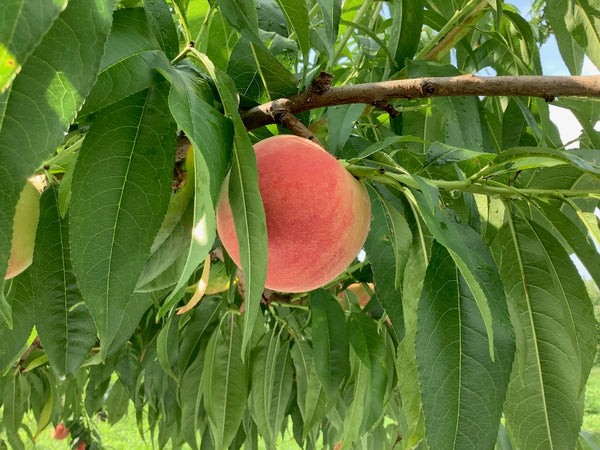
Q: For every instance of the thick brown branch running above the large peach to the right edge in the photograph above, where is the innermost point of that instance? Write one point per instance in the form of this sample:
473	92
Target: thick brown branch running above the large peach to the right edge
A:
320	94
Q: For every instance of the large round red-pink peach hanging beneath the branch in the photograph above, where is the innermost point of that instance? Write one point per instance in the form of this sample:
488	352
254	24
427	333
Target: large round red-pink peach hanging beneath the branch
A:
317	214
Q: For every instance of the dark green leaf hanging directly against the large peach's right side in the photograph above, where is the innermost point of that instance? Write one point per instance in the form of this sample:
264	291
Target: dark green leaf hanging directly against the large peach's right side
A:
387	249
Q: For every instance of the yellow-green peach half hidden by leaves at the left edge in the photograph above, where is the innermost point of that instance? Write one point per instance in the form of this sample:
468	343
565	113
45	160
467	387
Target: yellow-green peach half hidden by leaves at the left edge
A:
24	228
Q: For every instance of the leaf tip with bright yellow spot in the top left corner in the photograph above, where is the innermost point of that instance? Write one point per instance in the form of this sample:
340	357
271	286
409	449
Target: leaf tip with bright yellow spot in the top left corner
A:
24	23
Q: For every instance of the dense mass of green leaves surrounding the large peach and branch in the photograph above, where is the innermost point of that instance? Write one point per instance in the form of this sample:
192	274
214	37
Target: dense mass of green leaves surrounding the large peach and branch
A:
478	213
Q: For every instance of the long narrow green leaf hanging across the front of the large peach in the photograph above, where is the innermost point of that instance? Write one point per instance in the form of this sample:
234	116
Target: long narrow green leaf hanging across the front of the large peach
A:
246	203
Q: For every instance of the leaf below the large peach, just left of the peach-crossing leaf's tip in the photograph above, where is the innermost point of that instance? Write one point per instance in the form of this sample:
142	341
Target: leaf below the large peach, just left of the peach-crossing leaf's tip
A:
225	382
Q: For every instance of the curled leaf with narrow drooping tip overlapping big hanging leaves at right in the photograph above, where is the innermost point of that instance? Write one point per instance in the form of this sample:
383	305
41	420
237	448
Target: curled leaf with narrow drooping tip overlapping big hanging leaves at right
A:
470	254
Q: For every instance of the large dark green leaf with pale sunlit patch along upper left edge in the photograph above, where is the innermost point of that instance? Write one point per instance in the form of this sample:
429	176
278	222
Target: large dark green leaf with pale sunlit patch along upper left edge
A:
43	101
